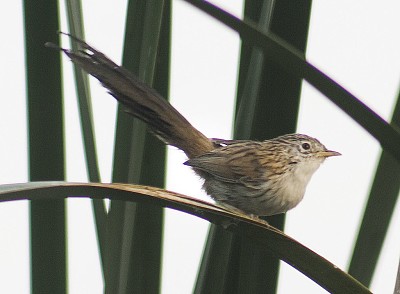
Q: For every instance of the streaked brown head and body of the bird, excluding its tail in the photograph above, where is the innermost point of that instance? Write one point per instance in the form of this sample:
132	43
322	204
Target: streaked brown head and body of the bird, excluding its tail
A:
261	178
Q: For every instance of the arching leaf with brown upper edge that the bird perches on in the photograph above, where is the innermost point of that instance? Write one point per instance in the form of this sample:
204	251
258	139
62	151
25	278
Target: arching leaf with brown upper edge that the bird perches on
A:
324	273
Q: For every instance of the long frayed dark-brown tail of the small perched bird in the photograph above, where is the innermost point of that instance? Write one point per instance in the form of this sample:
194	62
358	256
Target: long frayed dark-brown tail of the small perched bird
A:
140	100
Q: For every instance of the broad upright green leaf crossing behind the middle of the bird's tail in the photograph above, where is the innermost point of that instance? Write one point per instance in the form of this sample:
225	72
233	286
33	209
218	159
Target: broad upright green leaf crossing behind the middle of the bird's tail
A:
139	158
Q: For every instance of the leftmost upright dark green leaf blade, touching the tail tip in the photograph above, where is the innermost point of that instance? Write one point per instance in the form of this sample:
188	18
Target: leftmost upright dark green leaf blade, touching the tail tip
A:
46	146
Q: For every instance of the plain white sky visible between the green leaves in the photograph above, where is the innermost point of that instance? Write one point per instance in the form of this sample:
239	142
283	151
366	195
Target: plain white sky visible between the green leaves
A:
357	46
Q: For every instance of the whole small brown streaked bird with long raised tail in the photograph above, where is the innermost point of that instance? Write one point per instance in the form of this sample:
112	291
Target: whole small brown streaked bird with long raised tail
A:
257	178
